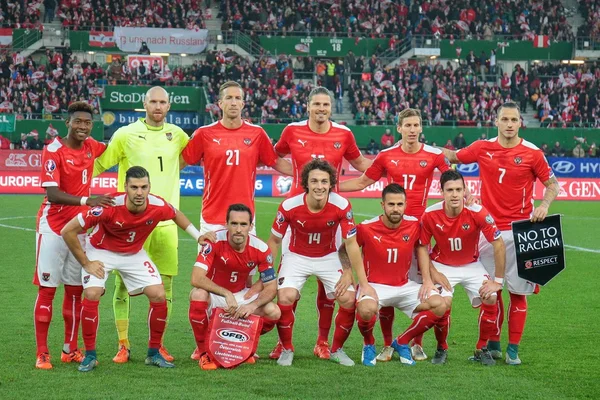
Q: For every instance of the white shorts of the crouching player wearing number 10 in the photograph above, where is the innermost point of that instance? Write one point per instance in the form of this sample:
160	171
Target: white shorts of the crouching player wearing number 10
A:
469	276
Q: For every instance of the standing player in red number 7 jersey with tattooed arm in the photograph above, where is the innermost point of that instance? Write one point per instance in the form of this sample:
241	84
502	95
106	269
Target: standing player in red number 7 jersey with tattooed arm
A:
509	167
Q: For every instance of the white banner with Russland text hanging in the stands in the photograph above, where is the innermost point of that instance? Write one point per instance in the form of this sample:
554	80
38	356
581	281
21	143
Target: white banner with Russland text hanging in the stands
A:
161	40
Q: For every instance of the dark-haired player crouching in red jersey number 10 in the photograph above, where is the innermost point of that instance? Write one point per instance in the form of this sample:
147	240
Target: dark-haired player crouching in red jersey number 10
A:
456	229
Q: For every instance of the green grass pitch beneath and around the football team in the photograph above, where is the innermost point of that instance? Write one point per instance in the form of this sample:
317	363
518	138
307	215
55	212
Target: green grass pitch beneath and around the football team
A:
559	349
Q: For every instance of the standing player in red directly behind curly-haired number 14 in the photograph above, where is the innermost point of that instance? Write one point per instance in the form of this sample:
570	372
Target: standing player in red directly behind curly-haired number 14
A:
318	137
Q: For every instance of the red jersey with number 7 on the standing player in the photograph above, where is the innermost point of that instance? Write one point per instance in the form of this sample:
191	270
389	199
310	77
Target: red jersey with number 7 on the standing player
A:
507	177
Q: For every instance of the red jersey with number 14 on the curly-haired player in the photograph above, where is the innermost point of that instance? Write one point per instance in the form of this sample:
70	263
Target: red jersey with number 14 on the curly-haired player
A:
313	234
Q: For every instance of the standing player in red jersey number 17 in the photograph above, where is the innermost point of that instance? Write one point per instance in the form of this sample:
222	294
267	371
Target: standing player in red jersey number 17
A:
411	164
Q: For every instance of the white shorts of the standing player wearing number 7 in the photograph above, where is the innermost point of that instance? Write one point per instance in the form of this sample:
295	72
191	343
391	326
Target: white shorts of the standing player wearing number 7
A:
513	283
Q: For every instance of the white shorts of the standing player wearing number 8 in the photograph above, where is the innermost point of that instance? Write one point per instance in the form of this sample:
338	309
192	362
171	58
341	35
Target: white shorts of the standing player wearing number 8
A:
55	264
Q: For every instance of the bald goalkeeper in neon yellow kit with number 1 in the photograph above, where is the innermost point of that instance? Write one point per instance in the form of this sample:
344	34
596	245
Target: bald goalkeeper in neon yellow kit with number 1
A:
155	145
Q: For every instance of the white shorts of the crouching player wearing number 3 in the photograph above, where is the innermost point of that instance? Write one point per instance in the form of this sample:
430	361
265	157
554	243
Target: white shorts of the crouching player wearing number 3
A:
137	270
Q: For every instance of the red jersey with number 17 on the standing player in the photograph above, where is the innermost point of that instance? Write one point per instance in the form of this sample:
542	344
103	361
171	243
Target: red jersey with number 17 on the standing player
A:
413	171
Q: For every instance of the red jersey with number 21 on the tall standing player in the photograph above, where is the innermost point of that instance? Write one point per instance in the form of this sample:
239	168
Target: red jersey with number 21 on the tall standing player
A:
230	157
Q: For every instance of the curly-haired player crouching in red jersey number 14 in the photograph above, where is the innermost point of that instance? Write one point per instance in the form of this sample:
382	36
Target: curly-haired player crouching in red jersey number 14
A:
313	218
